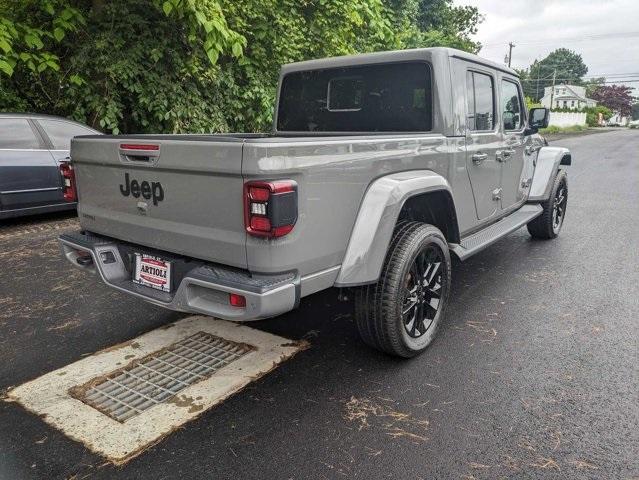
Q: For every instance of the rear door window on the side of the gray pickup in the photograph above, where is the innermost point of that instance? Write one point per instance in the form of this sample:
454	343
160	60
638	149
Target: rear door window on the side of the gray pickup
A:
481	101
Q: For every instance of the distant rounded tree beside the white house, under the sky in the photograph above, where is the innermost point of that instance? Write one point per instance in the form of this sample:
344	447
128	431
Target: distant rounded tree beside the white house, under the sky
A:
567	66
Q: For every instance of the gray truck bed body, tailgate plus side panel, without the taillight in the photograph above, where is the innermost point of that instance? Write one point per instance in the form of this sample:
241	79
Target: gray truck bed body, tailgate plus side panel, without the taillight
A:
201	214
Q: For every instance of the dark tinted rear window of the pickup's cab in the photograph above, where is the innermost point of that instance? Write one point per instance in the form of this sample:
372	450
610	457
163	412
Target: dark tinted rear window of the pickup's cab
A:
372	98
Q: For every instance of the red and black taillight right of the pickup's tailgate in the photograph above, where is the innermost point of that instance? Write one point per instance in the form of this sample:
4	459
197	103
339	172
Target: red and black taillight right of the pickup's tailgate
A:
270	208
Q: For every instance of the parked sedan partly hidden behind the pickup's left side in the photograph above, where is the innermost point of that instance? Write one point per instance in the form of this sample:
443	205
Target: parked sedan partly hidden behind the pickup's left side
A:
31	148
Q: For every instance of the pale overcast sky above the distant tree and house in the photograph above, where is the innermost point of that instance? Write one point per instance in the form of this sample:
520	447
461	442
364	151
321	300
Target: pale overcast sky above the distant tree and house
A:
604	32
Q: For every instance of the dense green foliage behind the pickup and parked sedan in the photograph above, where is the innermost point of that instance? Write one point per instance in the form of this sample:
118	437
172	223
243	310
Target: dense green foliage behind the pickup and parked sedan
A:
194	65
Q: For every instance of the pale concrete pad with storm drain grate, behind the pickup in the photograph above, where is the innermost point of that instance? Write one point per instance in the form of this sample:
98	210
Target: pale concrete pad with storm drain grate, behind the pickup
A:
123	399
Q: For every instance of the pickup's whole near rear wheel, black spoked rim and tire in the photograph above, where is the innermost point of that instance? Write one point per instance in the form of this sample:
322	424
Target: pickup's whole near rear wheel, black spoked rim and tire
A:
401	313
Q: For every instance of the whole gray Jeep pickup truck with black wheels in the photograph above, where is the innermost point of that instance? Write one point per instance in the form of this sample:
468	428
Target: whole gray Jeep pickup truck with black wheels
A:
379	167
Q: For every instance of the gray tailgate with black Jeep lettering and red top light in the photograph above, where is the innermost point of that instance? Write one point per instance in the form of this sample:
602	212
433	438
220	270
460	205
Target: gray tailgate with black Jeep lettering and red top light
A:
182	195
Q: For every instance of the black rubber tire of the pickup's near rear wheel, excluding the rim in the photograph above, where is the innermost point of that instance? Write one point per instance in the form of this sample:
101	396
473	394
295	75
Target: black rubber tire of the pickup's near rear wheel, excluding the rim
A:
379	306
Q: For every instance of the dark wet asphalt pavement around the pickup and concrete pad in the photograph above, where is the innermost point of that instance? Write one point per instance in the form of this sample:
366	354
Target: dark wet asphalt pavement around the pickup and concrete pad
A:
535	373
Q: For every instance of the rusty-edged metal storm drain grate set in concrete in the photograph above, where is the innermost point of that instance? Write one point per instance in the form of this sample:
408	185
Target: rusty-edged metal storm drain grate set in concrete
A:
161	375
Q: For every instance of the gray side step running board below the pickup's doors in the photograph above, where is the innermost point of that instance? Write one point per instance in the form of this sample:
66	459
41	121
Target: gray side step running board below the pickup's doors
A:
489	235
